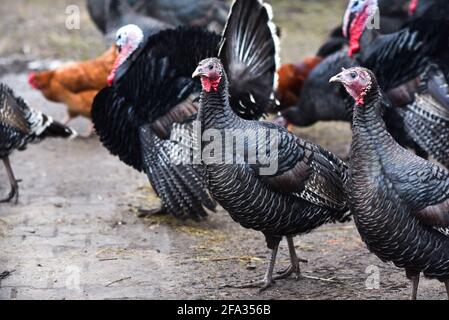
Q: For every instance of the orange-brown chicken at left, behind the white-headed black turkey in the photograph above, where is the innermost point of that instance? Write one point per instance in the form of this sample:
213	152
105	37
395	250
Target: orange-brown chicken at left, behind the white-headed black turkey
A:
76	84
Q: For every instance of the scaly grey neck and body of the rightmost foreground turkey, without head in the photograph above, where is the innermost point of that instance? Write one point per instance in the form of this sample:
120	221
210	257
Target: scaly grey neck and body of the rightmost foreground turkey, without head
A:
380	173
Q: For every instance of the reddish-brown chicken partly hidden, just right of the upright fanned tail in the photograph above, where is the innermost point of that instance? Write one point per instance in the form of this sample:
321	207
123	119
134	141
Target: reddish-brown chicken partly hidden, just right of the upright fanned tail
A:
291	80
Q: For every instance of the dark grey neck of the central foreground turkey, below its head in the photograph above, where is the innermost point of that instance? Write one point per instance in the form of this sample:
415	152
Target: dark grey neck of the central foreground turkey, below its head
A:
215	111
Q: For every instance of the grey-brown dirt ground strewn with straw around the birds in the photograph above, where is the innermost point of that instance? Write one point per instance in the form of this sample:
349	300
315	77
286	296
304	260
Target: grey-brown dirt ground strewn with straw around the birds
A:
75	233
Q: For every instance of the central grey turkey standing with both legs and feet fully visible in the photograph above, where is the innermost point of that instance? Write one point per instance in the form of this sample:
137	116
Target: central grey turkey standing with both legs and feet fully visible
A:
298	186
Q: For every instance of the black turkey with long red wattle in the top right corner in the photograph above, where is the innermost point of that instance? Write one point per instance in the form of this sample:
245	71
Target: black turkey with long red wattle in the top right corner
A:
411	67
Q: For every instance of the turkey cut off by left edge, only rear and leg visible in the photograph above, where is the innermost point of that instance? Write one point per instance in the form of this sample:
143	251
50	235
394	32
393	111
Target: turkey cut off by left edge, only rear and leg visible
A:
19	126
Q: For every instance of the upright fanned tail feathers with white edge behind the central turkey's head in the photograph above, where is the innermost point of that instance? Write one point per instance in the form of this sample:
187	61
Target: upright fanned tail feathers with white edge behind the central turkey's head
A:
249	53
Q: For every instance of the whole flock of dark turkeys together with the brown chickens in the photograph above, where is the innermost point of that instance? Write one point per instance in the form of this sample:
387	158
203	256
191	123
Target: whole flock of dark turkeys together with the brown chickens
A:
180	79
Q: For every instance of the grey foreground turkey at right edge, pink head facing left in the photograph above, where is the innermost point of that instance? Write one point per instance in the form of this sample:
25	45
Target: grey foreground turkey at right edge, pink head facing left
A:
400	202
